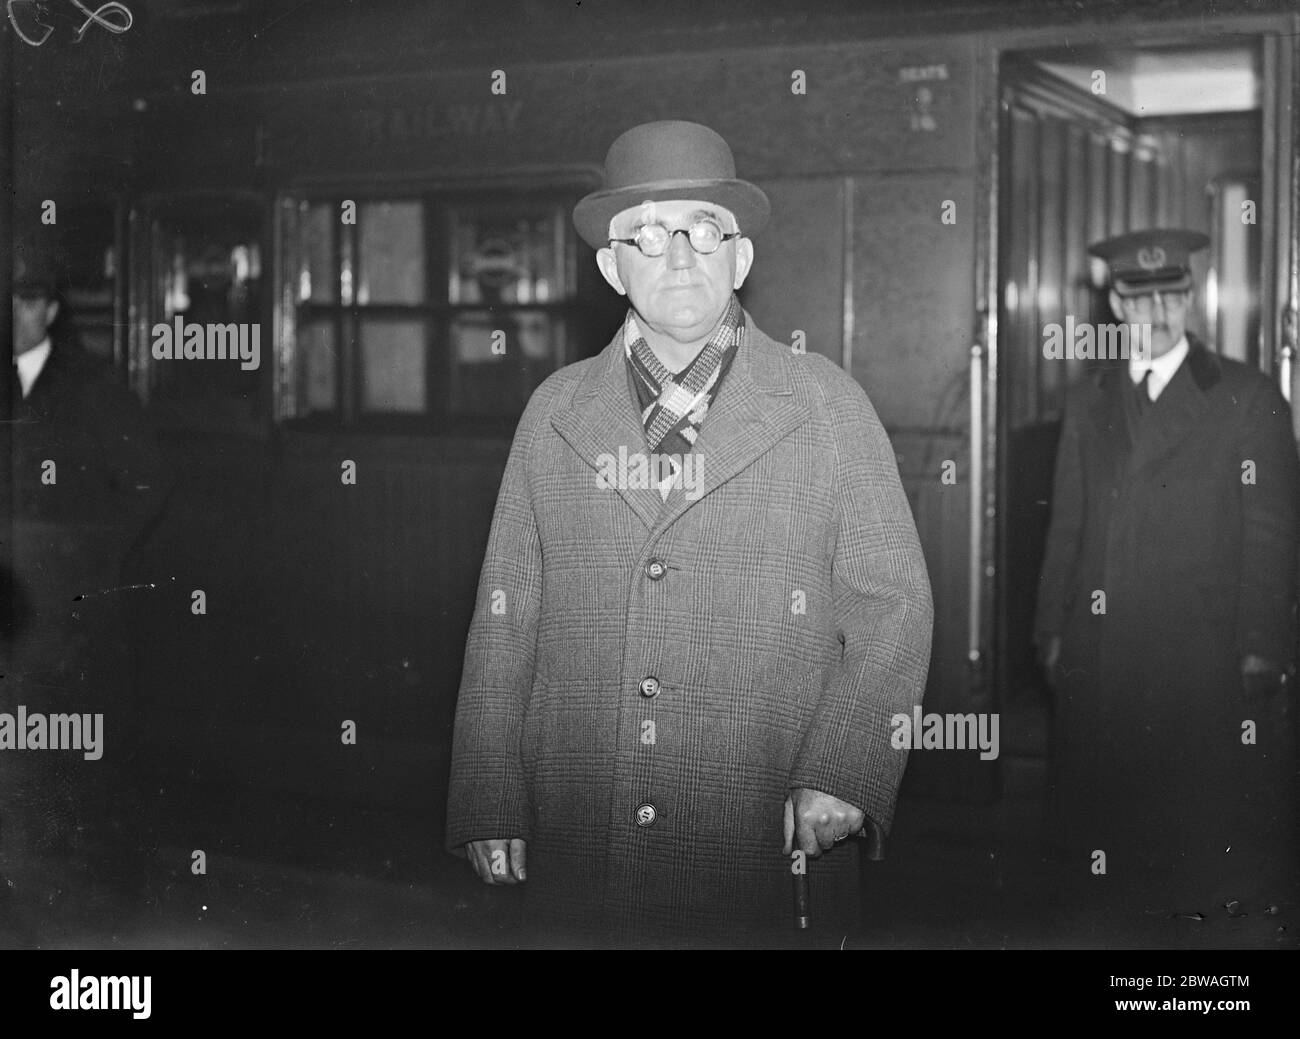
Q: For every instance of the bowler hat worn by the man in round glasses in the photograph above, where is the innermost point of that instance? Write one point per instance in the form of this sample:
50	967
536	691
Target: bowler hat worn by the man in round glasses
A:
657	162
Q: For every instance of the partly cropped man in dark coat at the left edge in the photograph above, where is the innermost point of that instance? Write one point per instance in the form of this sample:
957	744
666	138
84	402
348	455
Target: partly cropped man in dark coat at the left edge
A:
88	480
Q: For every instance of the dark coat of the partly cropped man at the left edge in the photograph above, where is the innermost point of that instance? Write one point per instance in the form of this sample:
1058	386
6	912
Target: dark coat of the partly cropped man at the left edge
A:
89	479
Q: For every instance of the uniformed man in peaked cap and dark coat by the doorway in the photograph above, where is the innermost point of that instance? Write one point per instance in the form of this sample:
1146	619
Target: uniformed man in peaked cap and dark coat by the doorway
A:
1167	613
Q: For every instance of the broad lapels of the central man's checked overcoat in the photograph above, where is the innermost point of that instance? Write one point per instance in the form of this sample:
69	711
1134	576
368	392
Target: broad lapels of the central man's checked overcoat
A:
756	410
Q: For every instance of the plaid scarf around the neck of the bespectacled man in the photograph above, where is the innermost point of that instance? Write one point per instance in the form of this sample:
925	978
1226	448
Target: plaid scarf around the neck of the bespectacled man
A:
674	406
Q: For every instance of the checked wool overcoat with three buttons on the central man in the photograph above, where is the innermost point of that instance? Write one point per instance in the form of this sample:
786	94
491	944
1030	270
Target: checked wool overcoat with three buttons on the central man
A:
790	622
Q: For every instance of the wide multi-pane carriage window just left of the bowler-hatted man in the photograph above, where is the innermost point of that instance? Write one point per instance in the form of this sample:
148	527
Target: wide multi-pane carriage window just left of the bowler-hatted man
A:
423	313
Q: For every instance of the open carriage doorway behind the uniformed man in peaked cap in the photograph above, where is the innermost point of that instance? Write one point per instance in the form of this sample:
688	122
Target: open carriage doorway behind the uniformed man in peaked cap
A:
1097	142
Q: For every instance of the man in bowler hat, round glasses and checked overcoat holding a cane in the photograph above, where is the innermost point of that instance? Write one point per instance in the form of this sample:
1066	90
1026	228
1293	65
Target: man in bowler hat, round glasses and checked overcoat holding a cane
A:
703	600
